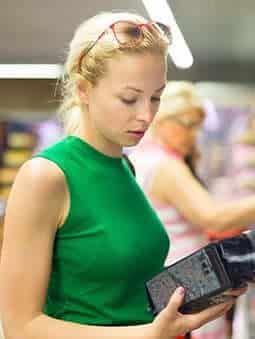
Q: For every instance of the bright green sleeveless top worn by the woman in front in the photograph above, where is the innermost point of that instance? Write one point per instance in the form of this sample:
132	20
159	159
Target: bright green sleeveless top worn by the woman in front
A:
111	243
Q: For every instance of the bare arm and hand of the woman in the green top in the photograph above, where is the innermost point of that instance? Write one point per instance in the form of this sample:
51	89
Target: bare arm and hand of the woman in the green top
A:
37	205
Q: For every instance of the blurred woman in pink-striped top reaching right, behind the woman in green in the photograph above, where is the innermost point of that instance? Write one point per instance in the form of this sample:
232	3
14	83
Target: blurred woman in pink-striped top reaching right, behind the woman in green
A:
164	162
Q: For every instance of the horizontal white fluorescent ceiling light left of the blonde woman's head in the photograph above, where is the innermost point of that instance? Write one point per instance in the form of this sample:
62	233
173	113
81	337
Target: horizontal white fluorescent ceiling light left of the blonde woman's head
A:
30	71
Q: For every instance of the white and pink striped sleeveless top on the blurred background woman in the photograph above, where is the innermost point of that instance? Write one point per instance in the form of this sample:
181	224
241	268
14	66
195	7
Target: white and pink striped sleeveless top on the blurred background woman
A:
185	237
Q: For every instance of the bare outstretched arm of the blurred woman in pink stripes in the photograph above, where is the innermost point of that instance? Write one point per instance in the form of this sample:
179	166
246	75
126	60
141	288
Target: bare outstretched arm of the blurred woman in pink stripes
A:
175	184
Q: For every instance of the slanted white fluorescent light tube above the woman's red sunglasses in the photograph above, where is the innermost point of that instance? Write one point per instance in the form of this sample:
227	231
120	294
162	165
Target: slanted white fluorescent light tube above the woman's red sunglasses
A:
159	10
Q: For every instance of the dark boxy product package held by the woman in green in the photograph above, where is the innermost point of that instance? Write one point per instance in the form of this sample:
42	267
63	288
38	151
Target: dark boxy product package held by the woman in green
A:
206	274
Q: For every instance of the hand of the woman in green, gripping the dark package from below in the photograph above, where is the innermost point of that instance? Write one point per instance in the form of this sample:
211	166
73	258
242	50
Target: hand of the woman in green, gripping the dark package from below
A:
170	322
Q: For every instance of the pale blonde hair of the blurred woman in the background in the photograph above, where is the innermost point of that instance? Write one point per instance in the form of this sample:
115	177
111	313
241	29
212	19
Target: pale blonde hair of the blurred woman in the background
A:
179	97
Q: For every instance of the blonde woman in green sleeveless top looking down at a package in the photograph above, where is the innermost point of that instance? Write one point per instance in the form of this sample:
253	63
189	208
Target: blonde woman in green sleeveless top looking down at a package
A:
75	258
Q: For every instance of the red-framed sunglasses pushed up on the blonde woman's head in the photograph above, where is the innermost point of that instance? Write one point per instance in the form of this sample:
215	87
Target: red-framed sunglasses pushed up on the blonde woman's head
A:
129	34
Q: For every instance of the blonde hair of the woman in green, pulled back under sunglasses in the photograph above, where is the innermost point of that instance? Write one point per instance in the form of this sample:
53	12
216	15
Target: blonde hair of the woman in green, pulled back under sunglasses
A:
93	67
